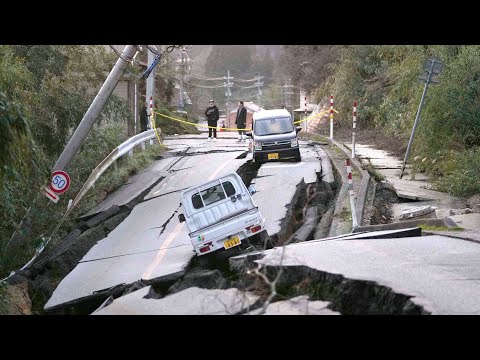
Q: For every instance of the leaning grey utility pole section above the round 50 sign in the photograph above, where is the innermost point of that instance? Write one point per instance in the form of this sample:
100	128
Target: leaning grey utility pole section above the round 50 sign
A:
95	108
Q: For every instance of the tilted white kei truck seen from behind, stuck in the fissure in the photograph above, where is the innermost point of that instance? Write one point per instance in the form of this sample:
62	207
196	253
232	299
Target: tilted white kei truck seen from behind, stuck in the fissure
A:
221	216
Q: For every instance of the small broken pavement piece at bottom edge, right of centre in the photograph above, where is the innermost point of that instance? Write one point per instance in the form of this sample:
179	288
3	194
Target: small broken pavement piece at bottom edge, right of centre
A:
300	305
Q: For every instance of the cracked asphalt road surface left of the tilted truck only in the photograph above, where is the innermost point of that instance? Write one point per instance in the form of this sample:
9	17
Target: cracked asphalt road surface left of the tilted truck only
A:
150	242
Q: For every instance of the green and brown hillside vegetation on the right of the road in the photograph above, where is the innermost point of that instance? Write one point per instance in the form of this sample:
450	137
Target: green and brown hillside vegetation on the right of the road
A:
383	79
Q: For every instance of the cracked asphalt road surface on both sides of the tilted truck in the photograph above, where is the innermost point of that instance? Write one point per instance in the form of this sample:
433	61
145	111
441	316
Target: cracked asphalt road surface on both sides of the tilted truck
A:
150	243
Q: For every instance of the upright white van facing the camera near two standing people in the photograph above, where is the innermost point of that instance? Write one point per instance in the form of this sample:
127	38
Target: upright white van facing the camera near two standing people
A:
274	136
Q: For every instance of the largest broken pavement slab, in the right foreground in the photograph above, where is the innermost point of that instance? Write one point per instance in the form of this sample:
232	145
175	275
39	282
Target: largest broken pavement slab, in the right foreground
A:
440	274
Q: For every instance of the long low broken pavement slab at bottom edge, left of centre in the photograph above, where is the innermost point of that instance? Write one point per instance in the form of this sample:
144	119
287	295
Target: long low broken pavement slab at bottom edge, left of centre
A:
191	301
